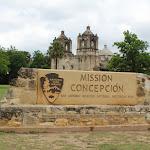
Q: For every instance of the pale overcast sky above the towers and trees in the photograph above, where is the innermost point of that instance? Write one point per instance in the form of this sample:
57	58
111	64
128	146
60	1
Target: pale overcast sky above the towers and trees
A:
31	25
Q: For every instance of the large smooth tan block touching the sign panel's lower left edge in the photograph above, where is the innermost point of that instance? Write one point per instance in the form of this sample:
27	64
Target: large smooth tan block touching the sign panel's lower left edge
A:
27	97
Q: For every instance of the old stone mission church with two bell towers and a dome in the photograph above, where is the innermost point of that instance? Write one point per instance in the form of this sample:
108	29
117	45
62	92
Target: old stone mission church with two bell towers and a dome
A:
87	57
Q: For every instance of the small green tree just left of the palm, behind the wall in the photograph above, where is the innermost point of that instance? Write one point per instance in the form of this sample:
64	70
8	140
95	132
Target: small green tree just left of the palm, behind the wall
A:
39	60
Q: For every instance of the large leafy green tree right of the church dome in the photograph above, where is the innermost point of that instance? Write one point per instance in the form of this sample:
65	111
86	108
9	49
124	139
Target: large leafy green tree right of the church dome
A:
132	57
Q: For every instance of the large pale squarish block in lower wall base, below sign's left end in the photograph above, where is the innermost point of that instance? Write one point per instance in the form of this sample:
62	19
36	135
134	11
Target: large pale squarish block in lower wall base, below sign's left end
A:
30	120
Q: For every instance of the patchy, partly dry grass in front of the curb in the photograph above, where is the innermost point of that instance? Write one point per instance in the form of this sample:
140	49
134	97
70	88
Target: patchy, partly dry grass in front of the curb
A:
76	141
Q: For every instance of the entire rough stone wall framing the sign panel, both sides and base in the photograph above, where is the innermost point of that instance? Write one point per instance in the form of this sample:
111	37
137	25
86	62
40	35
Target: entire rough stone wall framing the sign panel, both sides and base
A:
15	112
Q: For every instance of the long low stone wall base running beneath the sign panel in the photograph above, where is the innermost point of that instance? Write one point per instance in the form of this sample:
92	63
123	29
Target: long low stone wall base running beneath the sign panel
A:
70	115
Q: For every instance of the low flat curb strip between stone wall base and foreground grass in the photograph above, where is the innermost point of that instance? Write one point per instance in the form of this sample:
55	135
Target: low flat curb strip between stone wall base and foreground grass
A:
143	127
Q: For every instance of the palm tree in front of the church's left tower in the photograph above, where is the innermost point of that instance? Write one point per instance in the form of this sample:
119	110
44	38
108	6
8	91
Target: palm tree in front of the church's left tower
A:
56	50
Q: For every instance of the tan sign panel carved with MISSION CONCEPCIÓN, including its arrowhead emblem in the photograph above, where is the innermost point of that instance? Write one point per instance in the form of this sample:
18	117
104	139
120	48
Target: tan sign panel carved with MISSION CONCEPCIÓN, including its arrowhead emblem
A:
63	87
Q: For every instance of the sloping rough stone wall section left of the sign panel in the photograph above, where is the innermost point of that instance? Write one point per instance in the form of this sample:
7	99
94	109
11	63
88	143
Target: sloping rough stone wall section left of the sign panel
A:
23	89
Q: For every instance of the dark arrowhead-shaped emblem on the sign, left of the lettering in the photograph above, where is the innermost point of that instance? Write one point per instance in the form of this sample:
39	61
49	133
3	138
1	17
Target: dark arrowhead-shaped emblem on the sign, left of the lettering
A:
52	86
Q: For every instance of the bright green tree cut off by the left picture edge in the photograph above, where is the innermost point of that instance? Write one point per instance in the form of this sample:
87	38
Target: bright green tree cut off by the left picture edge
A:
4	62
